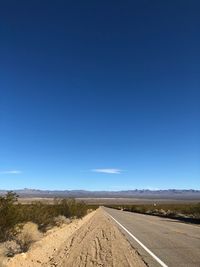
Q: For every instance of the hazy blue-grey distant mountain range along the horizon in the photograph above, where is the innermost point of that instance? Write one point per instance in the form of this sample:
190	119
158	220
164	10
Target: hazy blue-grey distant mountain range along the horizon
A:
145	193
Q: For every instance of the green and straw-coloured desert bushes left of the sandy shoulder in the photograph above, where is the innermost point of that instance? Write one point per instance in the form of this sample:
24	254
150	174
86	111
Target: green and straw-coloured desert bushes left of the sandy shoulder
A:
21	225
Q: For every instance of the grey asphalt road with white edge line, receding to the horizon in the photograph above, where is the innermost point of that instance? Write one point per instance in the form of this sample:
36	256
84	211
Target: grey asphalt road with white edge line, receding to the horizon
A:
175	243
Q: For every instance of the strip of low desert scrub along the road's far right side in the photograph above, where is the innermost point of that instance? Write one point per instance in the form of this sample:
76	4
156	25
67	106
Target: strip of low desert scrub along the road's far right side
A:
187	212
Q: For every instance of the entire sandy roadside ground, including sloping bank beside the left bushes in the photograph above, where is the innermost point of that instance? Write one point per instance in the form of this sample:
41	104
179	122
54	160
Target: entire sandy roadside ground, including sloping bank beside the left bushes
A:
92	241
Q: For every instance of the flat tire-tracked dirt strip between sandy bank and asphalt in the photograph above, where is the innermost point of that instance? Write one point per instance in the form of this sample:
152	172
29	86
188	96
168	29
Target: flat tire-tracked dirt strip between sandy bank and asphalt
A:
97	243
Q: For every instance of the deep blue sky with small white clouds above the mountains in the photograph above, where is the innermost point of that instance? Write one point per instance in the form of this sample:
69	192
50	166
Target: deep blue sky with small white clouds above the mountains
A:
99	94
